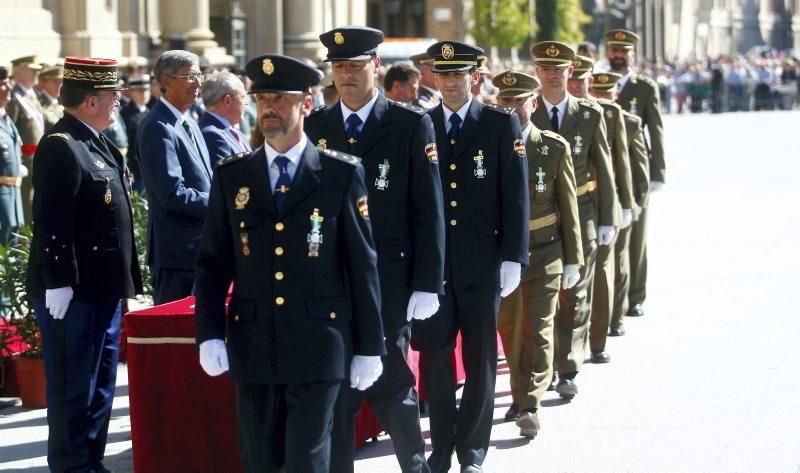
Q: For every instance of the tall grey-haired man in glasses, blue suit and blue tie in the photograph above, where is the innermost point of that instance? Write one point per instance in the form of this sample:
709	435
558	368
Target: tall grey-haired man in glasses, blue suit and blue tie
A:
177	176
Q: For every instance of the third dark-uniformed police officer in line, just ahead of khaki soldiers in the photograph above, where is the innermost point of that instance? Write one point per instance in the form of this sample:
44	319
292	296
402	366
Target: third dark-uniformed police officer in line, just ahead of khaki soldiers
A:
485	184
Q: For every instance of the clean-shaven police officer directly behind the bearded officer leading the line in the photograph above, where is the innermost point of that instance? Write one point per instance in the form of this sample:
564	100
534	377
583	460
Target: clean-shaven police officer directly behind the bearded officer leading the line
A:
397	146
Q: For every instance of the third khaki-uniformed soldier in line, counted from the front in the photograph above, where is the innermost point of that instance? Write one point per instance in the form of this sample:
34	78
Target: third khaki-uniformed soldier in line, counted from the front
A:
603	295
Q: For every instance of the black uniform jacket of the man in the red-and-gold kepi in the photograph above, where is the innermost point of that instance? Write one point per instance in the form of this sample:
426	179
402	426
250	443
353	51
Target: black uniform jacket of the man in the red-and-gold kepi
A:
83	229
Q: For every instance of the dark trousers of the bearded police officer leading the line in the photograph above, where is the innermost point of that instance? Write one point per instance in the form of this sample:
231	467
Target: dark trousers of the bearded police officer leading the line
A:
285	427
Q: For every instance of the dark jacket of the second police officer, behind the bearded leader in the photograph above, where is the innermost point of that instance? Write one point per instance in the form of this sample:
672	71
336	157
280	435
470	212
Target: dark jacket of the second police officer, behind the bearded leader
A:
406	210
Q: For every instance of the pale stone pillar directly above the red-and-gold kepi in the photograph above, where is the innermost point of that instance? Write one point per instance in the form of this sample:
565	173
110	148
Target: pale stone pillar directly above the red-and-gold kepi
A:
89	28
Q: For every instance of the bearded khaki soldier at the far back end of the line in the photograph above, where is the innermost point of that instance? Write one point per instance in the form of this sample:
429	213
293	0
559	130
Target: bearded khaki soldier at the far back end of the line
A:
638	94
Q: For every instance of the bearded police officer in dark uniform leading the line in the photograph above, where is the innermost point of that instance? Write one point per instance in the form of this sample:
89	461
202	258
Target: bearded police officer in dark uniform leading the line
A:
288	224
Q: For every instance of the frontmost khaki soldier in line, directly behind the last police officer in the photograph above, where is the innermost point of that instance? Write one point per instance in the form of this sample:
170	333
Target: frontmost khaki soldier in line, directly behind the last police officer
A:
526	316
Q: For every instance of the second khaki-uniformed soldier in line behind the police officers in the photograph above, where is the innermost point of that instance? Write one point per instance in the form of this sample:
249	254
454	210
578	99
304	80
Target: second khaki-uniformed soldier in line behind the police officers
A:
580	122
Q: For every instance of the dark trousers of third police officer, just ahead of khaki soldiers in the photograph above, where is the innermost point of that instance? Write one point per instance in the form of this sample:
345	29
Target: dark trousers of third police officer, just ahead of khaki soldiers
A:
473	310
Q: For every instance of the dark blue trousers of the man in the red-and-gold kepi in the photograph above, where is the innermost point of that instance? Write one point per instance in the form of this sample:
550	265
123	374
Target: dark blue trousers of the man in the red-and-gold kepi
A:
80	359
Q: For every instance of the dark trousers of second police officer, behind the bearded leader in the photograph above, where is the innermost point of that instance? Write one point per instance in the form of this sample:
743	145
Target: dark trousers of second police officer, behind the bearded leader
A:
394	402
